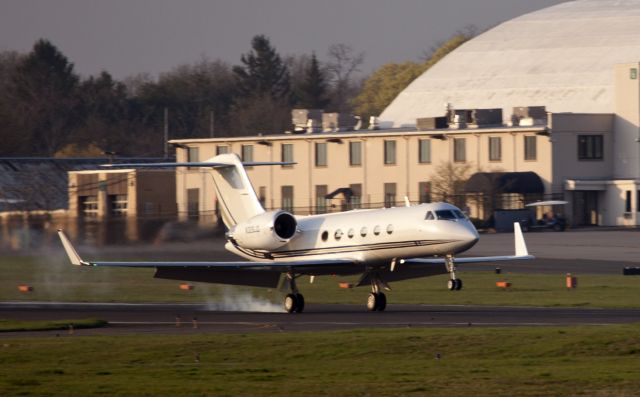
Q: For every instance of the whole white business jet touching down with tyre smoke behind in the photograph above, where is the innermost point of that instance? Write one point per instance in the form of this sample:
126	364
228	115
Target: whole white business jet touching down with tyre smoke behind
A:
382	245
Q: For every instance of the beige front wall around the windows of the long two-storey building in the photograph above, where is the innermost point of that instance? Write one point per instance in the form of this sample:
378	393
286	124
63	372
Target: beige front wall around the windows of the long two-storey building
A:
406	173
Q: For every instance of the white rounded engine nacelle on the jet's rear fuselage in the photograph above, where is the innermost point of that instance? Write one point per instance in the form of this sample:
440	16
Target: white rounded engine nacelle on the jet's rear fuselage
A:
267	231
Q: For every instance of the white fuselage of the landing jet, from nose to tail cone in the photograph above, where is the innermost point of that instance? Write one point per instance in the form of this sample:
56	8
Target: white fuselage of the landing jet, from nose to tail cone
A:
374	236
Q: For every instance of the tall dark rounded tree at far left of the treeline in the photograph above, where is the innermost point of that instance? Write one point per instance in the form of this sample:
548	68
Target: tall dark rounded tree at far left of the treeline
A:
43	91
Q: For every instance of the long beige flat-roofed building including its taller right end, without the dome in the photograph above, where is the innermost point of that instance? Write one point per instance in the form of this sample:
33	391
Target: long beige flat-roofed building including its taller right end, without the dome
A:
588	159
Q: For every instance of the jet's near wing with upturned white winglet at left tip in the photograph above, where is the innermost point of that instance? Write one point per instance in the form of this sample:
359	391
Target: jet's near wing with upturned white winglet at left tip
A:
259	274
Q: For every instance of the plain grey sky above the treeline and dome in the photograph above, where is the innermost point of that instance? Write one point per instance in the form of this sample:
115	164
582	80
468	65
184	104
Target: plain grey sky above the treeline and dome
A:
129	37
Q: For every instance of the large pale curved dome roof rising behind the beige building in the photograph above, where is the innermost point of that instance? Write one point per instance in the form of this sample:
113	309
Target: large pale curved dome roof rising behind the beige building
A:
561	57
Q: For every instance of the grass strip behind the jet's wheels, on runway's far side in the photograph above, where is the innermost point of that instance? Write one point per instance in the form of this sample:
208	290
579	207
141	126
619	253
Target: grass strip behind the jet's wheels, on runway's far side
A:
54	279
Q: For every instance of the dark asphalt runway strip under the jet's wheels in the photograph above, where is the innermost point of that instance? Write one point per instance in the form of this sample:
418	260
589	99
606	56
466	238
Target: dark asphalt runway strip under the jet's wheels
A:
190	319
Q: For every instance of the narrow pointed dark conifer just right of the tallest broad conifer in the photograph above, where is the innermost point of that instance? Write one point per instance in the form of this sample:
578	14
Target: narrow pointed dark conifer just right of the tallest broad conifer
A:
311	91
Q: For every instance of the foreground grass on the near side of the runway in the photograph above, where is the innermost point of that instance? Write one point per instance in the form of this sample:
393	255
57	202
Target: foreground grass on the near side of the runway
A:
569	361
